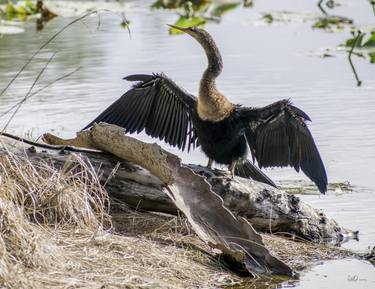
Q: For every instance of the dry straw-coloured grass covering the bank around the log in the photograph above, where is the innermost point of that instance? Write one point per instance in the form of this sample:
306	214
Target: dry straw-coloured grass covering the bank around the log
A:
56	232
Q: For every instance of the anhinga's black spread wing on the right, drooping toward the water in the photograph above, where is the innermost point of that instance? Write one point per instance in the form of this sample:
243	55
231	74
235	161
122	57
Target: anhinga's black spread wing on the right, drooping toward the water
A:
278	136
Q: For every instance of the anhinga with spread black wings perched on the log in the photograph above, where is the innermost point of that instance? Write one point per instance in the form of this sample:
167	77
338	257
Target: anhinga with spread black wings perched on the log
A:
276	134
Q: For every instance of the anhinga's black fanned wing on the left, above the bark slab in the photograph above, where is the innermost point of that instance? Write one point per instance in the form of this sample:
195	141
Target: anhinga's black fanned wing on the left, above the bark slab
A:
158	106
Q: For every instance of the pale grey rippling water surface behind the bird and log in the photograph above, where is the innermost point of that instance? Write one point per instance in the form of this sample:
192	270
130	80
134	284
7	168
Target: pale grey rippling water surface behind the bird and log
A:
262	64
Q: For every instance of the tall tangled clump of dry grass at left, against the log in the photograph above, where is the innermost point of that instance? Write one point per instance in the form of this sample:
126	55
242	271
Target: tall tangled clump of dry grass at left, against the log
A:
71	195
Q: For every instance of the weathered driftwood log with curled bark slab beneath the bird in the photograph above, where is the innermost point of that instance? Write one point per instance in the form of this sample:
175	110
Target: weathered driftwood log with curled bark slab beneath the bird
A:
167	186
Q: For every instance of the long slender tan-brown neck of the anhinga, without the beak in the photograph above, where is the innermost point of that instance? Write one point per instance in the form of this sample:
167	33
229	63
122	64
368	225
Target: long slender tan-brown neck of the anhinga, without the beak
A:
212	105
